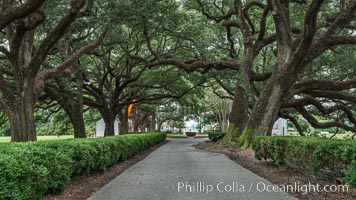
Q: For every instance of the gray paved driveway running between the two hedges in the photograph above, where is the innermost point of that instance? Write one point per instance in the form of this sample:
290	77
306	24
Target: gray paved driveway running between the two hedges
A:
177	170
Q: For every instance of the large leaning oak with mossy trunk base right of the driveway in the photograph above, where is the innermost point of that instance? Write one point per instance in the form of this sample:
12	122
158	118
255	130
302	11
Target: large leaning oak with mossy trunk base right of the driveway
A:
297	46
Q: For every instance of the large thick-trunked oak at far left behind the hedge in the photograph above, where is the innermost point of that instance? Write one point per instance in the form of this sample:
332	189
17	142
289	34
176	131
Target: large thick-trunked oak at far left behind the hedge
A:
25	48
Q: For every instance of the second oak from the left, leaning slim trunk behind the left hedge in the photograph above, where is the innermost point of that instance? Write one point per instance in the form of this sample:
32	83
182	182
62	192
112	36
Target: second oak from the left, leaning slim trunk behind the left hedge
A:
67	90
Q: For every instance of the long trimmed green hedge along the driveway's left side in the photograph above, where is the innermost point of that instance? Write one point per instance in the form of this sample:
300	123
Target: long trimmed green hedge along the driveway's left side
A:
29	170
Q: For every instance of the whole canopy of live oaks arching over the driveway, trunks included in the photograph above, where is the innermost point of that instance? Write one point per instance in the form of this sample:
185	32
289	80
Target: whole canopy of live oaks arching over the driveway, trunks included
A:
72	62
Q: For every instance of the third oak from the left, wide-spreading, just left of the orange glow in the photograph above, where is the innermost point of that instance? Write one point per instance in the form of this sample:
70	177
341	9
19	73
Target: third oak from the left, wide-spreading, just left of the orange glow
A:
120	75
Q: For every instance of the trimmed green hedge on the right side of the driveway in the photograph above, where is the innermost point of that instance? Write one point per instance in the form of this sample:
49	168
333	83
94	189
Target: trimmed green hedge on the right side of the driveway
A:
321	158
